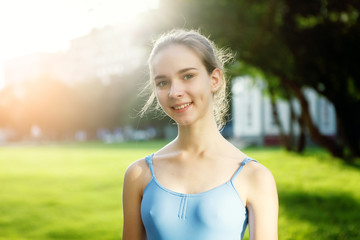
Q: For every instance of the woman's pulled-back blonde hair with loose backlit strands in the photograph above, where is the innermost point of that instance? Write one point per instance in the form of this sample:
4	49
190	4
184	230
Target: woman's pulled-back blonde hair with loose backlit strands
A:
212	58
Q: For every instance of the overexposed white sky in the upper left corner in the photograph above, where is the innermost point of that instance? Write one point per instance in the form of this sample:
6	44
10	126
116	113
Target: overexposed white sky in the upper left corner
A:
28	26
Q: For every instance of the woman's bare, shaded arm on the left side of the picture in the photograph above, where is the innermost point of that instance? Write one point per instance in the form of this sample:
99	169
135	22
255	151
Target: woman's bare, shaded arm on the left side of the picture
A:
133	228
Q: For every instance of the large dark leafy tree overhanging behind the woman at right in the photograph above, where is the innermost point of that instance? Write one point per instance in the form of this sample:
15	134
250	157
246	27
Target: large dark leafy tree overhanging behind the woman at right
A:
312	43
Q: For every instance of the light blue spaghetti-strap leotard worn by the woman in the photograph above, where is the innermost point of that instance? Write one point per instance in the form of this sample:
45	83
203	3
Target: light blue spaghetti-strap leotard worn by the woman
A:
217	214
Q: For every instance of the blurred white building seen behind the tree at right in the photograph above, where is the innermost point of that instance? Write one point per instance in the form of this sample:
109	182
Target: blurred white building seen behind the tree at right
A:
252	113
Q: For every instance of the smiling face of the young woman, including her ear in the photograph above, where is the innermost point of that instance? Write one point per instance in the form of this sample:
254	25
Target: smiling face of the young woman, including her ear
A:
183	87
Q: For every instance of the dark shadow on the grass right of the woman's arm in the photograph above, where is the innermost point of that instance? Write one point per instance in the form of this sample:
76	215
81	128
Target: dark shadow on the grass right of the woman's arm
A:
333	215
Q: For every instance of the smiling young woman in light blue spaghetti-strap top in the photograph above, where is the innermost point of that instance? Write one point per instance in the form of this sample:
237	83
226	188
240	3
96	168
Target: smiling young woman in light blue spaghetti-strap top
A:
199	186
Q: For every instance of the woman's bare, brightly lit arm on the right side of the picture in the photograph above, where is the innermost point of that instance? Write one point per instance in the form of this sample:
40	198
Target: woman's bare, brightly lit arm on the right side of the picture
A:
262	204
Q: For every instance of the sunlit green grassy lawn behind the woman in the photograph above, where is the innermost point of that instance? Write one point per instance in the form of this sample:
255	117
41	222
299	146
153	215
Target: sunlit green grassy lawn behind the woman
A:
74	191
